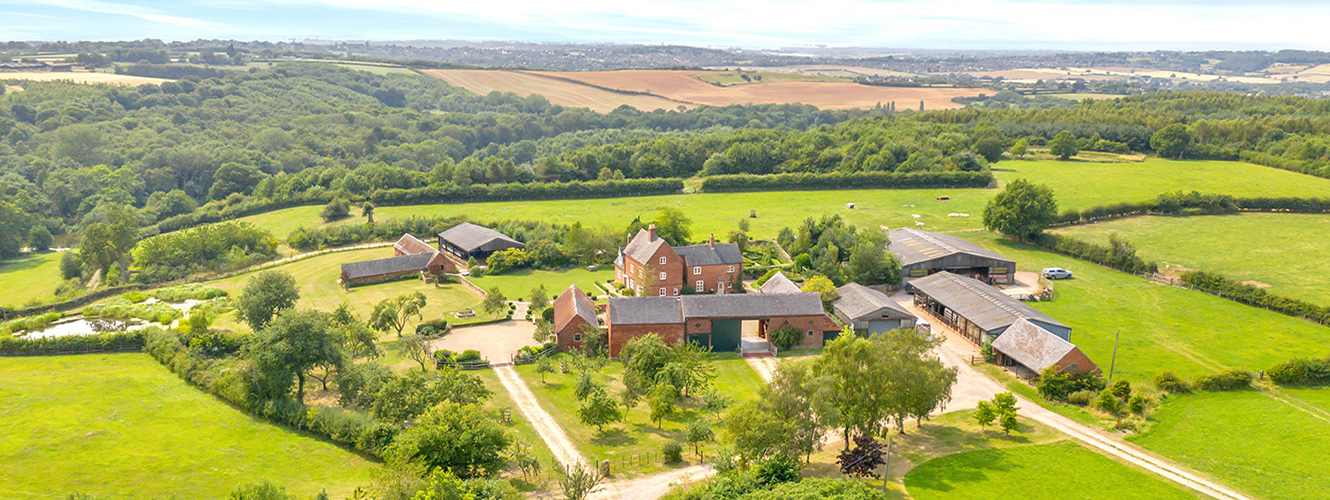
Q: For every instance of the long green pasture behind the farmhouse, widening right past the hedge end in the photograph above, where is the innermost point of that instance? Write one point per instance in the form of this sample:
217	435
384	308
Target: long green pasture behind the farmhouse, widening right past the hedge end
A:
1079	186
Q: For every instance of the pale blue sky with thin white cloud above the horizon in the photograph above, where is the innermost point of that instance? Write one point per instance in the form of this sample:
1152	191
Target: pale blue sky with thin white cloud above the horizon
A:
949	25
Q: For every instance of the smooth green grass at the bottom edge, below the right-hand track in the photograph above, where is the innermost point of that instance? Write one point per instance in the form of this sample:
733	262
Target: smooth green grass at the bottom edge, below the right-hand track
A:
1042	471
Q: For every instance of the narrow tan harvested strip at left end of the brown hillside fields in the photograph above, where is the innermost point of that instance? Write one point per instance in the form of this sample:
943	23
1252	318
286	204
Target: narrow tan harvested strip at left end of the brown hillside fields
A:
562	92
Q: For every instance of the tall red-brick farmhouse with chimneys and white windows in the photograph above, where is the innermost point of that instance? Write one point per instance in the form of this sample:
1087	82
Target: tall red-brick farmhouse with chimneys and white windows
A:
650	267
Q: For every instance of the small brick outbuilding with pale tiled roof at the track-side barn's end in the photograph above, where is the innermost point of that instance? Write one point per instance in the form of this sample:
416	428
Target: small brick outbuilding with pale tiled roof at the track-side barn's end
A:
1029	346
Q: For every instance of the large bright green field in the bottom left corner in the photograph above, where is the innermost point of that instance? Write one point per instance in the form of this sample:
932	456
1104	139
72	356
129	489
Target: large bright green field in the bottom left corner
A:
122	426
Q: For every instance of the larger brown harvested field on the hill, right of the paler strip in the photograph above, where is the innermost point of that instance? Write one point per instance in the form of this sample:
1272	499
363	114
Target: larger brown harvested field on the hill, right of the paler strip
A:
684	86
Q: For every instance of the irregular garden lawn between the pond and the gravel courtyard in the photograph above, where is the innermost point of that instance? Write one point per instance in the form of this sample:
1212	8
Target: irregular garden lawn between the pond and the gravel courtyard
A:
317	279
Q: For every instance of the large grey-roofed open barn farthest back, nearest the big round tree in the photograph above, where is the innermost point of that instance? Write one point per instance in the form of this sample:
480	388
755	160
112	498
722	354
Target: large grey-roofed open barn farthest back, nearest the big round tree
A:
924	253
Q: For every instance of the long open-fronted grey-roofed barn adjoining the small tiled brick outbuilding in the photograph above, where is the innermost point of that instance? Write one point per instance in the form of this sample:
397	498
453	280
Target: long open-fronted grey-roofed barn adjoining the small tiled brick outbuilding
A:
977	311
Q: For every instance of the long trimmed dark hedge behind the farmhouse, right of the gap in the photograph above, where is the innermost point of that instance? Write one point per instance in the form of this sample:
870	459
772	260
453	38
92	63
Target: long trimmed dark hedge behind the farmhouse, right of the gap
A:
860	180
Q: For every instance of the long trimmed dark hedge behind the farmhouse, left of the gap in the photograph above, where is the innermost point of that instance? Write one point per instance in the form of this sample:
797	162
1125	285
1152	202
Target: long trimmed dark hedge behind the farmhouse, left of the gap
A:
450	193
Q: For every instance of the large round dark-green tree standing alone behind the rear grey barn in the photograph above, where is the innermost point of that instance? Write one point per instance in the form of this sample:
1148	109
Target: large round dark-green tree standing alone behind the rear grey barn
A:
1022	211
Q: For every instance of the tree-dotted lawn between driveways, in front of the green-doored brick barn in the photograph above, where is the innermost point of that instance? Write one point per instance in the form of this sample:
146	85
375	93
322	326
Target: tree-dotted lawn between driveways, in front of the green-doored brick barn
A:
638	436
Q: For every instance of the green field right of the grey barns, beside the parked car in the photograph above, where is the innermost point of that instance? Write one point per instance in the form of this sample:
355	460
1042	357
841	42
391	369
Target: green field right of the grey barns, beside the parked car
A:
1163	328
